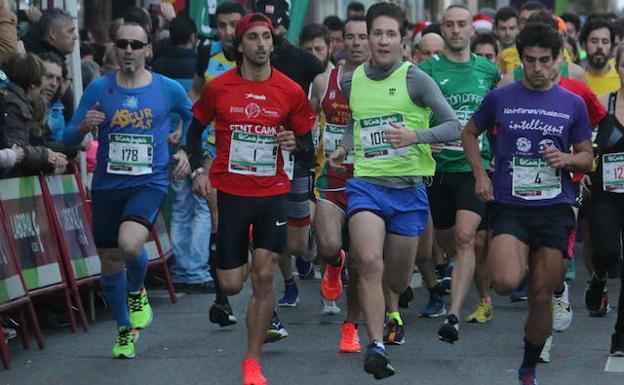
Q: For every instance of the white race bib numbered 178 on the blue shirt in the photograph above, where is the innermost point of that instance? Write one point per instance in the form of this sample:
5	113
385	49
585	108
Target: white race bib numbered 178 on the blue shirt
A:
130	154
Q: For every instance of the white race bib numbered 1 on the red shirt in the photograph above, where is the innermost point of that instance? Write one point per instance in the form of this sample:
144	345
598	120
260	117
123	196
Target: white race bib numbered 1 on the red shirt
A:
252	154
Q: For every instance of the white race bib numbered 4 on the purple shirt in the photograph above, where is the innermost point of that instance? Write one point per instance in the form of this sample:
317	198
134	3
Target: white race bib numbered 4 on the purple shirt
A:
534	179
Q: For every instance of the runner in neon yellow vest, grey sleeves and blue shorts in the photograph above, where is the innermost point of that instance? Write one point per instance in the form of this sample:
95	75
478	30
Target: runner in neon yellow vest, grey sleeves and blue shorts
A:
387	204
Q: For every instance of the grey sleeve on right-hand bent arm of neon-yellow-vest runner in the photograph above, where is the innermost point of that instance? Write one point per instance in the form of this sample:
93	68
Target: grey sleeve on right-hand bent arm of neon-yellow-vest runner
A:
425	92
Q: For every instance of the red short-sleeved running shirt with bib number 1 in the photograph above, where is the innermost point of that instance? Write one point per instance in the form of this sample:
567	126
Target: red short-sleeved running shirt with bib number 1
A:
247	112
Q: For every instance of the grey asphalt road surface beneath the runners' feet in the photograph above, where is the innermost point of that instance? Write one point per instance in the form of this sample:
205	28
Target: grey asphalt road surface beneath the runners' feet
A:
182	347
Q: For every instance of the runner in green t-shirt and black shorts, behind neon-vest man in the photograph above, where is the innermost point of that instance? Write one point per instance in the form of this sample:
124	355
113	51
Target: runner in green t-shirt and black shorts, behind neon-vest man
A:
464	79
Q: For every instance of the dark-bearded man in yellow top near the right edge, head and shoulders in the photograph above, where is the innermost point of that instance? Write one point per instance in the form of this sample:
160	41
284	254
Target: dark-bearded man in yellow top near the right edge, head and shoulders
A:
597	38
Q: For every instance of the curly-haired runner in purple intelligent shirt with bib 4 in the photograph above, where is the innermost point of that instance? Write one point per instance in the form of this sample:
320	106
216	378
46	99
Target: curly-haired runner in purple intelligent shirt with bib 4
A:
531	123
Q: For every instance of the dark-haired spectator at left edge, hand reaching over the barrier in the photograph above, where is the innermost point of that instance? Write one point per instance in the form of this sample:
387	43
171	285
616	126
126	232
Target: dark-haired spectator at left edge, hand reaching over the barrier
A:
26	73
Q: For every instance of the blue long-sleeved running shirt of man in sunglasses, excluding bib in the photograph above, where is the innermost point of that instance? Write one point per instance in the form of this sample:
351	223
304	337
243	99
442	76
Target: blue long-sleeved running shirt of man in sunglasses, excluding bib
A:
137	111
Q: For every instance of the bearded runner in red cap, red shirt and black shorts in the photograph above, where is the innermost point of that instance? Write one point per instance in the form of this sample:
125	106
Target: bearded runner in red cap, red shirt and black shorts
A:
254	108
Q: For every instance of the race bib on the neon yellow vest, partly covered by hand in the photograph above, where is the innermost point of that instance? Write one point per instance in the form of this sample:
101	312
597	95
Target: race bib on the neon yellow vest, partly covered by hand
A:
373	137
